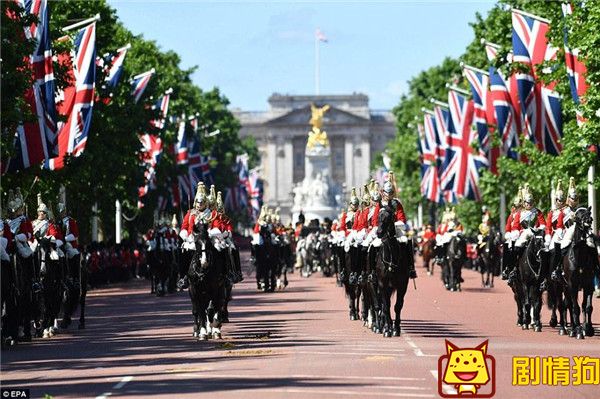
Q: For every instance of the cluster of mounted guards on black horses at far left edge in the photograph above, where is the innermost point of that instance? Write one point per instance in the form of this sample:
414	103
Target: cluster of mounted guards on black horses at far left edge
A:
32	290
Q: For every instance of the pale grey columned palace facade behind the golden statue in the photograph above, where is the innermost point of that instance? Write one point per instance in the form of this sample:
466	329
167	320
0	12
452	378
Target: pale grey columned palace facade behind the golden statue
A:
356	133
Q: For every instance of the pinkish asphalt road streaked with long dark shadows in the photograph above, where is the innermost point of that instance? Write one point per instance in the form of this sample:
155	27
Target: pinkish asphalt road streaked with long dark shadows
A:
298	343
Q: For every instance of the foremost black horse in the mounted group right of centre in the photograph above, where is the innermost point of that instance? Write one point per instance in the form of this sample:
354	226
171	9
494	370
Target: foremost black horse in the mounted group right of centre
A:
392	266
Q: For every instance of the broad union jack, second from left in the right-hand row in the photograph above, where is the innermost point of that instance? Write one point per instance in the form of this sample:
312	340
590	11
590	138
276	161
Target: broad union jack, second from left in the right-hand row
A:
461	167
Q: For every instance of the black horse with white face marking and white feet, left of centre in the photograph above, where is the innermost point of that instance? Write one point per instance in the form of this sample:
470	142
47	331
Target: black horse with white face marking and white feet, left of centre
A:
208	282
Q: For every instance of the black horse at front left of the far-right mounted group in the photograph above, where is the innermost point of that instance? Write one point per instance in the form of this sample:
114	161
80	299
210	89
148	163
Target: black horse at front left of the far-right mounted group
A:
531	273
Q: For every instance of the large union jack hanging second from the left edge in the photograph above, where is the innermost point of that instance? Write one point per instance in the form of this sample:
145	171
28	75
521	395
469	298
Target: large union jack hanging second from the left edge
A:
78	99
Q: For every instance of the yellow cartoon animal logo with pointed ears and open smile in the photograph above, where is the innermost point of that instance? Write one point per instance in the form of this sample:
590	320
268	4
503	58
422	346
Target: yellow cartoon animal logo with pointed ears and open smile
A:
467	370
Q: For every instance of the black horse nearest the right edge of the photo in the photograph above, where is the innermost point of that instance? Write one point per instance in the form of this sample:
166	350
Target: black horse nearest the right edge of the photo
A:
579	265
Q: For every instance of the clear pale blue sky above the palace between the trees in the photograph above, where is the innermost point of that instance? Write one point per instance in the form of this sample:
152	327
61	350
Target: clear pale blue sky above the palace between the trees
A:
253	49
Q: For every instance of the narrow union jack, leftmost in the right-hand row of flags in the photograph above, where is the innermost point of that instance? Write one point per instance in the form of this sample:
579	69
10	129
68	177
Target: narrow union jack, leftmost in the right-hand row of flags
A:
430	182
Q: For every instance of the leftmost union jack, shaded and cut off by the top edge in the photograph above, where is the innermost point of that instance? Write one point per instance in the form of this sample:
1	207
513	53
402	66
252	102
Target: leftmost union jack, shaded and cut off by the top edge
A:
35	142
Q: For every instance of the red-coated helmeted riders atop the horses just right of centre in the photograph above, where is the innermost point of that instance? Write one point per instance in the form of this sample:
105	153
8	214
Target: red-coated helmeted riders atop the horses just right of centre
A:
358	224
